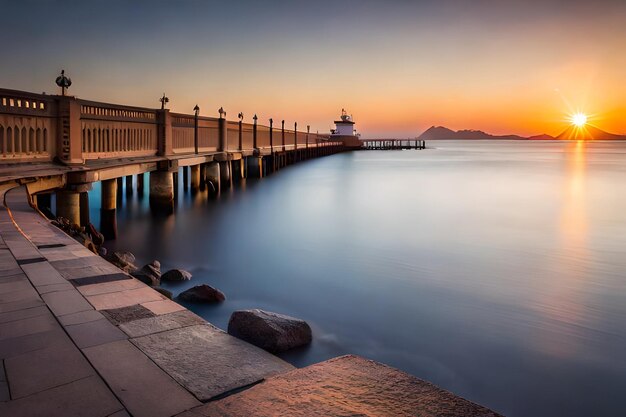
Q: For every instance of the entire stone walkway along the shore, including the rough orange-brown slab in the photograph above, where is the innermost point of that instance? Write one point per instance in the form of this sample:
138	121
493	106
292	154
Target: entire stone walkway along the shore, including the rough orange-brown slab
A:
78	337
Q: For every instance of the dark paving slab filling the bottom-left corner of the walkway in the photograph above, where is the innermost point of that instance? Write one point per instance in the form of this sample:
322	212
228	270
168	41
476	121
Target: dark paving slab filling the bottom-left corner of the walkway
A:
88	397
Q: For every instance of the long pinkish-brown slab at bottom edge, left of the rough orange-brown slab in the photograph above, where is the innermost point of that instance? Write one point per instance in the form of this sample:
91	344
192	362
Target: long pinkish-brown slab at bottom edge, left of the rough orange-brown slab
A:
144	389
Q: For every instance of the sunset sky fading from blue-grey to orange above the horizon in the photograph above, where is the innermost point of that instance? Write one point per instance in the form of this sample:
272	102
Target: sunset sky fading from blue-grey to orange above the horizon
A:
397	66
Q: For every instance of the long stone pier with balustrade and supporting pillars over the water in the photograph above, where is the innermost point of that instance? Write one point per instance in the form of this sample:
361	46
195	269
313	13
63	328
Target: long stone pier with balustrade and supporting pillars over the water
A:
62	145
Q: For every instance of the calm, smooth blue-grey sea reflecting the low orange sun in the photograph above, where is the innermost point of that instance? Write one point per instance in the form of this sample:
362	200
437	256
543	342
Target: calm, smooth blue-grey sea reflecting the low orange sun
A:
494	270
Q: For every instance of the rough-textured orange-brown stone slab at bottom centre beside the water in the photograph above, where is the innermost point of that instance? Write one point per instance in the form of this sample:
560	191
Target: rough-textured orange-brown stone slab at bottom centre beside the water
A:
345	386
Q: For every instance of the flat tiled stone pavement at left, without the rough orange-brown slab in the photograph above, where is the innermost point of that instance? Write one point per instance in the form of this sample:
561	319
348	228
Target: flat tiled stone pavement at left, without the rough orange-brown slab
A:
78	337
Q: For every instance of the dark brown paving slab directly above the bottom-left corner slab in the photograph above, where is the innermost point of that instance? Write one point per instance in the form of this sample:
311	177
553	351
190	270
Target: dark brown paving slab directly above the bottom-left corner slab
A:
46	368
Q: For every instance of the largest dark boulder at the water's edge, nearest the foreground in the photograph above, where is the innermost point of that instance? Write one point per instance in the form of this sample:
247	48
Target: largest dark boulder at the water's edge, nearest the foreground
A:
270	331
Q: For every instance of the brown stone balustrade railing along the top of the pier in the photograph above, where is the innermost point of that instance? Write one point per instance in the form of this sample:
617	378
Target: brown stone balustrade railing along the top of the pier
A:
39	127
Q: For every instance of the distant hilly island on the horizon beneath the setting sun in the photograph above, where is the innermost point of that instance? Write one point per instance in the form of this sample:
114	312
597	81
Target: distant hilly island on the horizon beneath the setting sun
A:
572	132
